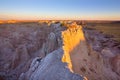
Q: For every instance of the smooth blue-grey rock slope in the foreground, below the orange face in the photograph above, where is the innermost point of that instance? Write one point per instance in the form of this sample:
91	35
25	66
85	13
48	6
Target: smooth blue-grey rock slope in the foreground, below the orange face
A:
49	68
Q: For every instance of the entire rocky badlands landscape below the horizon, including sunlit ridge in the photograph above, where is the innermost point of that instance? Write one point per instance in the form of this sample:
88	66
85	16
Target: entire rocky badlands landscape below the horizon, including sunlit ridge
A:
59	50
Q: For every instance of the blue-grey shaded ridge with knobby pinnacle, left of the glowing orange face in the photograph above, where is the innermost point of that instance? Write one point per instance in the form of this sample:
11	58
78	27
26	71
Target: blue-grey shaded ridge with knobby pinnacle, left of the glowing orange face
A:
52	64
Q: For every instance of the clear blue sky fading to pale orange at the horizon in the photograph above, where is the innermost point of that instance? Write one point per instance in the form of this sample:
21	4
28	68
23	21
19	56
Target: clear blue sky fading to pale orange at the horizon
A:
60	9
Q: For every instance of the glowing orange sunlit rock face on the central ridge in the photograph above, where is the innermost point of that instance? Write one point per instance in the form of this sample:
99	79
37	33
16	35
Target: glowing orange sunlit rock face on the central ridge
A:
71	38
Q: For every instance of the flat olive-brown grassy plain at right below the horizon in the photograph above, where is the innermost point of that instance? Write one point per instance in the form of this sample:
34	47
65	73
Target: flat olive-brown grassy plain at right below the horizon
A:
107	28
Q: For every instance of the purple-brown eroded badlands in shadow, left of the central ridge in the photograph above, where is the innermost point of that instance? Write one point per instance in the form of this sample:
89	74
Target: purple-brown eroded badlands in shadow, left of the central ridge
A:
19	44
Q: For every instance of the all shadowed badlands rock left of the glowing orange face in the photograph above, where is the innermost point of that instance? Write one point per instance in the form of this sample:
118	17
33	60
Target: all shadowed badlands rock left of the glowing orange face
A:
30	51
